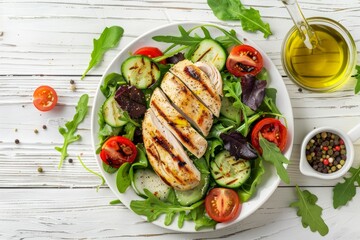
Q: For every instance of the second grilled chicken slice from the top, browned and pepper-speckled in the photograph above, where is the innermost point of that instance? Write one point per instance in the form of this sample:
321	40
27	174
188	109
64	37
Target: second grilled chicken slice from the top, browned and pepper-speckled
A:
187	104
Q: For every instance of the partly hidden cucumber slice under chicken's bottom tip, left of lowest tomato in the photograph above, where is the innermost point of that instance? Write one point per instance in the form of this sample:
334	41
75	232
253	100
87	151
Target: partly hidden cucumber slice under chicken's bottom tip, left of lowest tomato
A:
191	196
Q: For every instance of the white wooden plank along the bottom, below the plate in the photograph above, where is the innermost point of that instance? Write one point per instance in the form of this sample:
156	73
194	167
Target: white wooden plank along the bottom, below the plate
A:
83	213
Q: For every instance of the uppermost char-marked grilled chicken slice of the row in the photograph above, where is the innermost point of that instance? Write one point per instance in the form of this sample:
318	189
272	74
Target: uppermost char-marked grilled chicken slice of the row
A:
199	83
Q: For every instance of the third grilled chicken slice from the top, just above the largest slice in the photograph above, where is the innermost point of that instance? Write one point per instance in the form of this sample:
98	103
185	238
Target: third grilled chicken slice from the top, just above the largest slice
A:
177	124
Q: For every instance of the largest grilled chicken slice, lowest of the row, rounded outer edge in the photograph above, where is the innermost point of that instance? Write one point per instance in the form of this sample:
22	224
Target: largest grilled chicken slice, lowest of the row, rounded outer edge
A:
166	155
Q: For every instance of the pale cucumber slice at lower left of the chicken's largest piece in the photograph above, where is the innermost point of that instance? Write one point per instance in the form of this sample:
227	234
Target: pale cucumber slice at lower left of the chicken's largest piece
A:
148	179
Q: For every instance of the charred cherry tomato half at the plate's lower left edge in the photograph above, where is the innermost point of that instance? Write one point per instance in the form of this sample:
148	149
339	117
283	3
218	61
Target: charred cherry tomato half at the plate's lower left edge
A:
118	150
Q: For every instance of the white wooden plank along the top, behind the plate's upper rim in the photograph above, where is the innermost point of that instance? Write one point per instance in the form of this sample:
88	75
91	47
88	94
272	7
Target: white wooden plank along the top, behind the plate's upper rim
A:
54	30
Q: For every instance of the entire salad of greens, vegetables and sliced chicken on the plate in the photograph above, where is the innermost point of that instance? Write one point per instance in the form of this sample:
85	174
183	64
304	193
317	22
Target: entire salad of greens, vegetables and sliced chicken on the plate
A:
247	130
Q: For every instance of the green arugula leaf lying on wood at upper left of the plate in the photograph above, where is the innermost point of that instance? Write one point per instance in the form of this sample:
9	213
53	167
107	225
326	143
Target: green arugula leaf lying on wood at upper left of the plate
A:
109	38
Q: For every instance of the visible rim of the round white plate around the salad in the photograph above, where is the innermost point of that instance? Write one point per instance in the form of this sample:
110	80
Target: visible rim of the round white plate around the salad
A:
270	180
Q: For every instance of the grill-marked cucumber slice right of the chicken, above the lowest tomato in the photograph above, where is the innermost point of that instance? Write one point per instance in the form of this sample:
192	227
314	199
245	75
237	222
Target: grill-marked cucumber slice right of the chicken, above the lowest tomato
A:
228	171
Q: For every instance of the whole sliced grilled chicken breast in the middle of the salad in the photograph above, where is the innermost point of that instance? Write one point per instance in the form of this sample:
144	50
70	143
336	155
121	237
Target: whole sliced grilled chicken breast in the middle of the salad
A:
186	100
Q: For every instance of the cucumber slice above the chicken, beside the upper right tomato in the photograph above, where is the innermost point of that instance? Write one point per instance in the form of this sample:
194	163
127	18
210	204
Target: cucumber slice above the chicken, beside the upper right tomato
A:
210	51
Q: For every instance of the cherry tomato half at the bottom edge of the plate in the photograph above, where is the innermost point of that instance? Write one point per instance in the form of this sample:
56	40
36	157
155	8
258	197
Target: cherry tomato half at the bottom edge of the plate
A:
222	204
